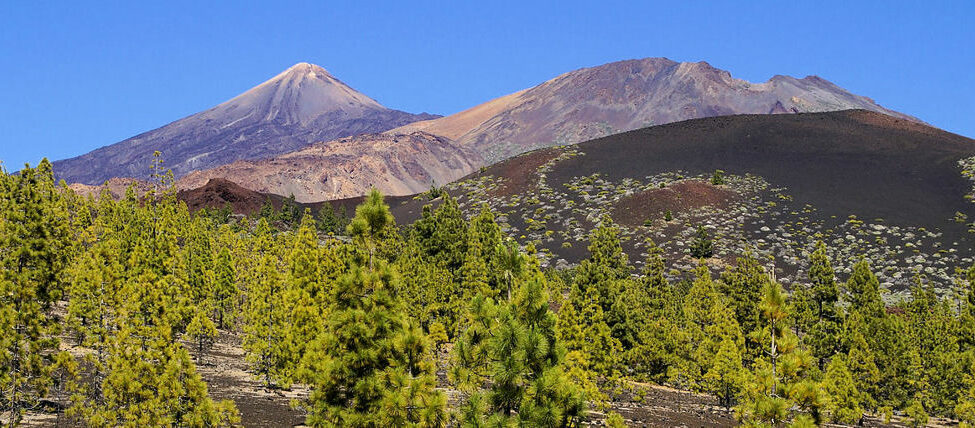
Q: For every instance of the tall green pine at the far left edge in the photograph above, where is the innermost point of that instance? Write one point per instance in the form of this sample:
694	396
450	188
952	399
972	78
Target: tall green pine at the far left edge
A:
33	252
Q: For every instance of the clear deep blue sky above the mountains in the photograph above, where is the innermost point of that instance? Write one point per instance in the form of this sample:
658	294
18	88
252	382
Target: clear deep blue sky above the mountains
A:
75	76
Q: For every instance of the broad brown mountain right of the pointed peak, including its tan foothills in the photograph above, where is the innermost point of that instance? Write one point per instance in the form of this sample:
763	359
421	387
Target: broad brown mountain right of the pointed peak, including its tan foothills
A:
571	108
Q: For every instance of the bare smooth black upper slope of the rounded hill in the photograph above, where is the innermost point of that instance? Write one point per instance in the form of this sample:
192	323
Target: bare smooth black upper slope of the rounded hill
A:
850	162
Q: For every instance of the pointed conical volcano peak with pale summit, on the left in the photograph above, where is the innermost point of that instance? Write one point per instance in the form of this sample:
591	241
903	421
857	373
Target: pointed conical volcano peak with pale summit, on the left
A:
302	105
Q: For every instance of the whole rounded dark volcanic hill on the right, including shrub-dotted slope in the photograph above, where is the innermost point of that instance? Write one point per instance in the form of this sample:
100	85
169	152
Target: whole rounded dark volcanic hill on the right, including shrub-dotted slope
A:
868	184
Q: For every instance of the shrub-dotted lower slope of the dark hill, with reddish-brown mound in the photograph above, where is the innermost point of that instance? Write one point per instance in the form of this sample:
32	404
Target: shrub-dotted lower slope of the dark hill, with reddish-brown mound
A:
745	211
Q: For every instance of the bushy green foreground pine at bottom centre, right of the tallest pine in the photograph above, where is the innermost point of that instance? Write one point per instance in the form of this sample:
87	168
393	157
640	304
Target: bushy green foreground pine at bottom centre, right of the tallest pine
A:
516	348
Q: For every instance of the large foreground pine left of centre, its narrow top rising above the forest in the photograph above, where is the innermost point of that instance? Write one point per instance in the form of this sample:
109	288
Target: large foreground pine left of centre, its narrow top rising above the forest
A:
369	366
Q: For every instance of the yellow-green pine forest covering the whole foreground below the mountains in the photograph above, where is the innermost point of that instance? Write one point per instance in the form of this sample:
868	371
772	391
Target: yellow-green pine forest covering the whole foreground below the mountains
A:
107	306
